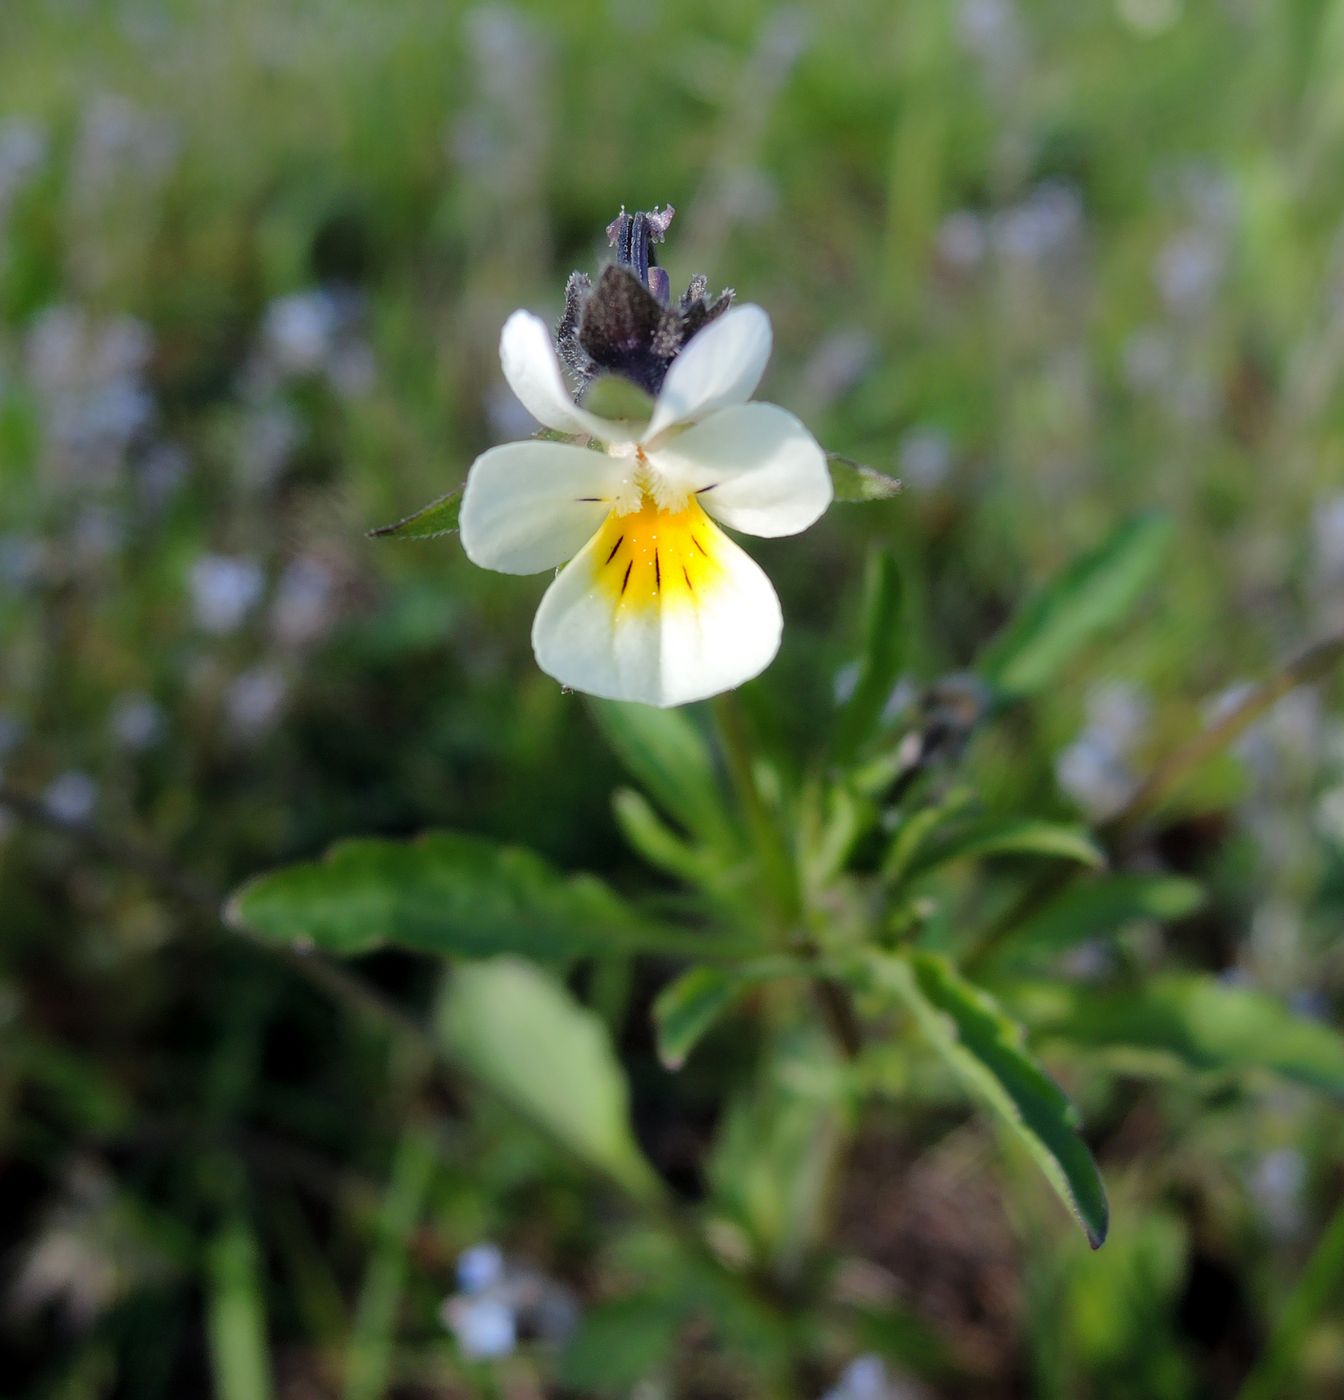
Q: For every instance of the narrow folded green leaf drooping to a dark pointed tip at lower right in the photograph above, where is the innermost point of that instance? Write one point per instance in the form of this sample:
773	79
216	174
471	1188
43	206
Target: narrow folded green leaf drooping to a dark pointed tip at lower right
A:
988	1051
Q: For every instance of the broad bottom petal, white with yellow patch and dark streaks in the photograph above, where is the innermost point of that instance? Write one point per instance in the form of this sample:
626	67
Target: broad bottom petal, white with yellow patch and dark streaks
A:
657	608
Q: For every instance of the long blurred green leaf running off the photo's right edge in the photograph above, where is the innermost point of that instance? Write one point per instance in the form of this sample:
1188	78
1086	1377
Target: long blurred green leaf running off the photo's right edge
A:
1191	1023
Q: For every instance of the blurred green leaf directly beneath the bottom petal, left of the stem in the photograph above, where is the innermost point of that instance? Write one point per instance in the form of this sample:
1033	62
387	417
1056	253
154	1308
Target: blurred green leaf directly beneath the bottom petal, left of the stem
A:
666	752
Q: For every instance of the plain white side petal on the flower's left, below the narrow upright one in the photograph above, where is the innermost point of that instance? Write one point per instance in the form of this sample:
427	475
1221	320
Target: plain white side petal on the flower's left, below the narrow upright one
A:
531	506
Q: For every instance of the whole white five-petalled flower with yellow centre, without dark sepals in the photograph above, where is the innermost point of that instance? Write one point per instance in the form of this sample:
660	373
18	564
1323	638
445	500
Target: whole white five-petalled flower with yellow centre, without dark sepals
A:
656	604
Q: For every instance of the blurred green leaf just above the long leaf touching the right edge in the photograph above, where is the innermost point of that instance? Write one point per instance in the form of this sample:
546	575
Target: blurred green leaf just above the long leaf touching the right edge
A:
1097	909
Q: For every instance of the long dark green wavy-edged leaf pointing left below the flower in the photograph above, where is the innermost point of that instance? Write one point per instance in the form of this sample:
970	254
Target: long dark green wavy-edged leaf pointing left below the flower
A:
451	895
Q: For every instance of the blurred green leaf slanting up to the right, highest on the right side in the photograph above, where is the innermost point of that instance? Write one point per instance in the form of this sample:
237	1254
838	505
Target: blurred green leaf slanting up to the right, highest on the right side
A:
1095	593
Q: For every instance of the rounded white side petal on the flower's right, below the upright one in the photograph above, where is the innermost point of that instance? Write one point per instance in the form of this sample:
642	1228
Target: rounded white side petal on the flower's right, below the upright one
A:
754	467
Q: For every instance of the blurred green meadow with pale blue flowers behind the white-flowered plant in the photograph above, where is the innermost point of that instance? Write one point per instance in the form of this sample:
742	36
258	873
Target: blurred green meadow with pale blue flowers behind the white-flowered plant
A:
1049	264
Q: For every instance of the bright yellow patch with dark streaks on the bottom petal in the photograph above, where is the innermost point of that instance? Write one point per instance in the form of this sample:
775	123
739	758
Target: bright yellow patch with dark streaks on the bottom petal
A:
652	558
